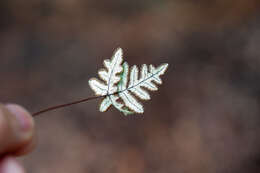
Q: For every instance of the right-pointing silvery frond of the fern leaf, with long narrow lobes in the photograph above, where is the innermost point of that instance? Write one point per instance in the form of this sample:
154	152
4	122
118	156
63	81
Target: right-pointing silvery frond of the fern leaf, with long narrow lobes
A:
136	86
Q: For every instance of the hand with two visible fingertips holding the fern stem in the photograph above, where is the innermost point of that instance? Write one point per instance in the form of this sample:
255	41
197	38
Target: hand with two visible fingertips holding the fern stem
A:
16	136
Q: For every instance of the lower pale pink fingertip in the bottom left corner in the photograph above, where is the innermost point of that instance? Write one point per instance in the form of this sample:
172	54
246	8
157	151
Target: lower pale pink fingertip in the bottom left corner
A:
10	165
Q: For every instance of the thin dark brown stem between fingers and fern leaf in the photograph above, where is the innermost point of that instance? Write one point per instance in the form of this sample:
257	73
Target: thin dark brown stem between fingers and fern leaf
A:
65	105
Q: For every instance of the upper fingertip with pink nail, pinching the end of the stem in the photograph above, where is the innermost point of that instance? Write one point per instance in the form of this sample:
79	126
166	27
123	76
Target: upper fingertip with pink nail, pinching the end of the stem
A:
16	128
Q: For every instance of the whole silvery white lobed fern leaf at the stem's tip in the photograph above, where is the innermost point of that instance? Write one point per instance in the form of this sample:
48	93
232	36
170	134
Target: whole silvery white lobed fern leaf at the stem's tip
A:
120	92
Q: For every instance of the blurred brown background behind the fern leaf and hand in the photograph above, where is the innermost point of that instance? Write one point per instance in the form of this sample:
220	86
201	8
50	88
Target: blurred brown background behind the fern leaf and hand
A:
204	118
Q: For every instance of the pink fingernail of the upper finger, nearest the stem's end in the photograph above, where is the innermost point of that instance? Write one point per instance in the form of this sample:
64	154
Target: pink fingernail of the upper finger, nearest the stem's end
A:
22	116
